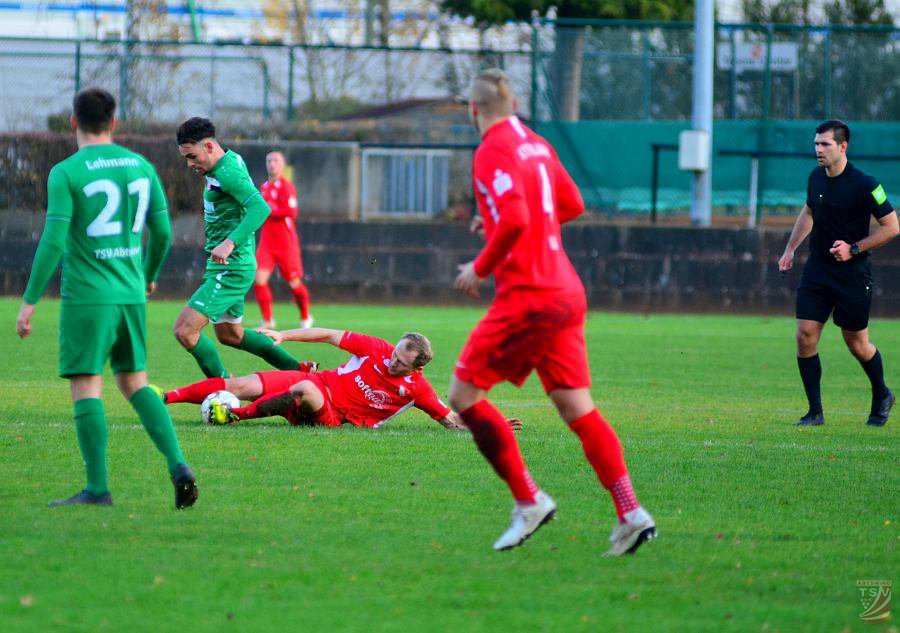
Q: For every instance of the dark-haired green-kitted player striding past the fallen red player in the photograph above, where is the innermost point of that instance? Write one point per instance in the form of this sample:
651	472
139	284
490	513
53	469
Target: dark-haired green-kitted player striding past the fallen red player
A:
233	211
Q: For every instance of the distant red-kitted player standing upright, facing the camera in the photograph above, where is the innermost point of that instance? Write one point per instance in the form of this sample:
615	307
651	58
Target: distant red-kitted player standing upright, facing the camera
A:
279	244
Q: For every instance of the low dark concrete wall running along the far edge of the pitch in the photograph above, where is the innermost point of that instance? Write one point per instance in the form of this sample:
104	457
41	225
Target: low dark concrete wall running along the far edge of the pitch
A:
635	268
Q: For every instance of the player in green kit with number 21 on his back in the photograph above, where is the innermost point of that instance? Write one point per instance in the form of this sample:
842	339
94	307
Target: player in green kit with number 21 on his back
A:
98	202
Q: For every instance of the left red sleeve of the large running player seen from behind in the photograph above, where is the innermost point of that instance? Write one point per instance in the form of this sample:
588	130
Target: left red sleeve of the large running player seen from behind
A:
498	180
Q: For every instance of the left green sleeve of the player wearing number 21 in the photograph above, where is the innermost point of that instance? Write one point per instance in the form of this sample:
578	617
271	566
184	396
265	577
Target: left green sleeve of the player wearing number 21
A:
53	240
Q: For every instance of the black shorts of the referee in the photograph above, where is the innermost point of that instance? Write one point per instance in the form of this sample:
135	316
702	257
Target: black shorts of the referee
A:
844	288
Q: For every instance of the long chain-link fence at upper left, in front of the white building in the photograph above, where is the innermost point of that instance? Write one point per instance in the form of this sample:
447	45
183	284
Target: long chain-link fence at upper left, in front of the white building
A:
254	86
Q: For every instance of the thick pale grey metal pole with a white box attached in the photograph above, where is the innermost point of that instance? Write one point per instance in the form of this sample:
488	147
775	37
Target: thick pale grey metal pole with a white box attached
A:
701	116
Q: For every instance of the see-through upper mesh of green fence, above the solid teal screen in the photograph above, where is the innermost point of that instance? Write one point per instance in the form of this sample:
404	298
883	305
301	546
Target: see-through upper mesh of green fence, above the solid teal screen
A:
599	70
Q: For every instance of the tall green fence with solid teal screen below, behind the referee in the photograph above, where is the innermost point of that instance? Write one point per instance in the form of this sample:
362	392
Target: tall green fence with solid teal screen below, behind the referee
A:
606	93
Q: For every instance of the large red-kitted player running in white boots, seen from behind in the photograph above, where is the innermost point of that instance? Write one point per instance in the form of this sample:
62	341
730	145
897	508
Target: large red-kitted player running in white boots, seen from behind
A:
536	321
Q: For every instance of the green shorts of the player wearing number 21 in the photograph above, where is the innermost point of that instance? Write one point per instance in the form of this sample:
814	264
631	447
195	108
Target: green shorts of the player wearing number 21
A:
91	334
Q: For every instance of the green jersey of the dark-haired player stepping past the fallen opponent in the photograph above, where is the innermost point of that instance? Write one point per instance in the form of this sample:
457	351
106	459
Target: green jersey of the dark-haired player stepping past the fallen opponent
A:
234	209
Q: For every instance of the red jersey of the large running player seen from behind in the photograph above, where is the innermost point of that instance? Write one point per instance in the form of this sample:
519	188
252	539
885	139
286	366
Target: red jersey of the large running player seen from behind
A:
524	194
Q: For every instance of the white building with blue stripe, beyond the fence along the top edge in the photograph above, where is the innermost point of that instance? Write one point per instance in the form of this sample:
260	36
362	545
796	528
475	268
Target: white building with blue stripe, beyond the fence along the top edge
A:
356	22
